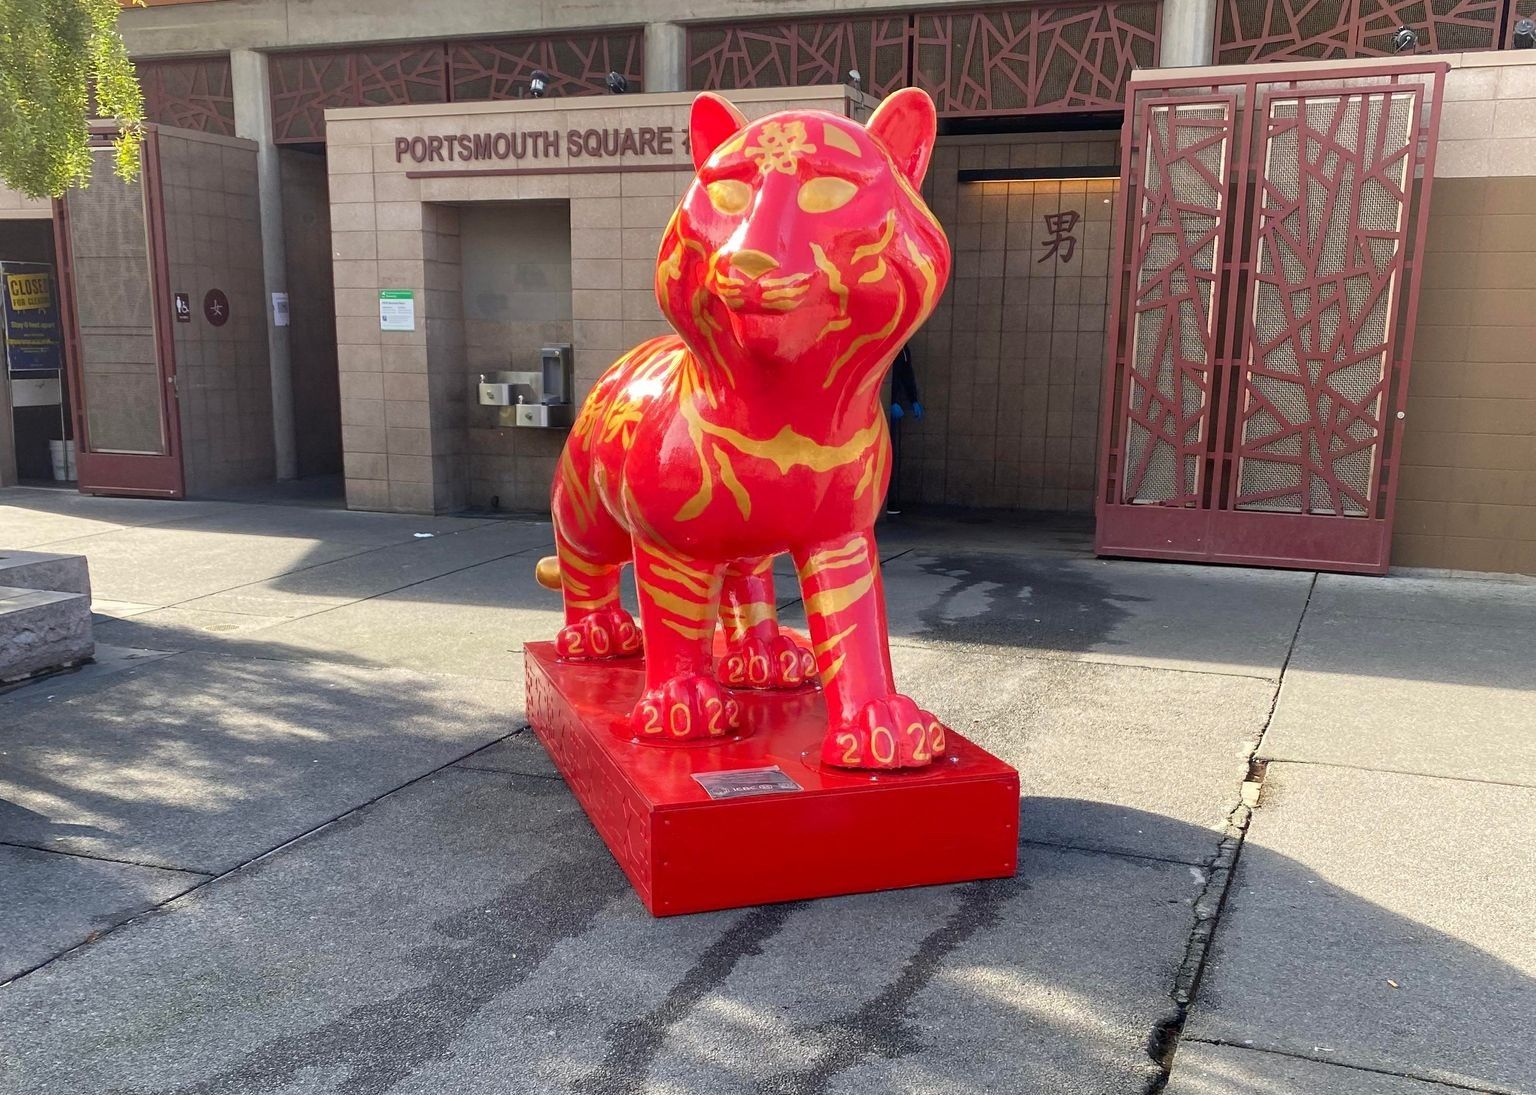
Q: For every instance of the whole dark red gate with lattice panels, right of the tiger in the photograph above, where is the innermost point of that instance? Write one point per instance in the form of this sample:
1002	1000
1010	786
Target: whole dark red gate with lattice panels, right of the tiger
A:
1199	403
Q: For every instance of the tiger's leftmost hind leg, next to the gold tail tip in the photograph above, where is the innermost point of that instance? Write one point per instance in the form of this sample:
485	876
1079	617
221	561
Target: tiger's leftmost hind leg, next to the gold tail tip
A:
591	551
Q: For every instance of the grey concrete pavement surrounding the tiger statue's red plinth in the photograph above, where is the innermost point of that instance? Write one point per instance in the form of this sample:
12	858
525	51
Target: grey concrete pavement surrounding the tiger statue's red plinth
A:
290	835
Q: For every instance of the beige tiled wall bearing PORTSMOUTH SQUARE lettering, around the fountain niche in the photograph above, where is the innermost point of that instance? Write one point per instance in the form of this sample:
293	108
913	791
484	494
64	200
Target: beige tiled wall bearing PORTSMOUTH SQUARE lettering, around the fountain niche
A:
414	437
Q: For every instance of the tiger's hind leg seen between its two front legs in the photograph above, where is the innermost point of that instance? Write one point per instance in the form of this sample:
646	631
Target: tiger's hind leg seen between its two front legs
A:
756	653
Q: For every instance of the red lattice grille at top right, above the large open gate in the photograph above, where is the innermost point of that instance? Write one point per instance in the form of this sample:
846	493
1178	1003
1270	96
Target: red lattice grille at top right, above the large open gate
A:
1305	30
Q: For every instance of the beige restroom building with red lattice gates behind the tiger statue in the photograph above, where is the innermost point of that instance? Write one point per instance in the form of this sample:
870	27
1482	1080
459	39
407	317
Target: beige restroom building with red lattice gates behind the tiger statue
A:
297	184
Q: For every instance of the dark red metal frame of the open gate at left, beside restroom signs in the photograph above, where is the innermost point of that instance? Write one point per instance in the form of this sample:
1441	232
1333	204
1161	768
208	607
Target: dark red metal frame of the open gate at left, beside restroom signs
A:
157	475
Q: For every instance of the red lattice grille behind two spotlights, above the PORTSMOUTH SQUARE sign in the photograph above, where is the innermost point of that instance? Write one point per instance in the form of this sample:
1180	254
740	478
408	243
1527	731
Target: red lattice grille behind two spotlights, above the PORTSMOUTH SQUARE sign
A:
580	65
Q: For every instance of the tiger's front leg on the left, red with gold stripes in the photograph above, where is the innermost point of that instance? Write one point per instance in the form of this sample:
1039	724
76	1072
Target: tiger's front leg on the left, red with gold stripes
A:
680	600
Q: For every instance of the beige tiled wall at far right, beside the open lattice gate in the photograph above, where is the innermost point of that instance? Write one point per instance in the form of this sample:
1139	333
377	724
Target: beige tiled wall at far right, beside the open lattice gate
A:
1468	489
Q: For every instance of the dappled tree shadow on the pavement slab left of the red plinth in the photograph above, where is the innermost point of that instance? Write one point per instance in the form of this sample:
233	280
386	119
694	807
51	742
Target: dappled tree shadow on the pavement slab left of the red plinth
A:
202	763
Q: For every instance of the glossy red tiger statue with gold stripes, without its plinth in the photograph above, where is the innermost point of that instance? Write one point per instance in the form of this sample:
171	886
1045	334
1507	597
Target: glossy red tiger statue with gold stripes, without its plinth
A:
796	266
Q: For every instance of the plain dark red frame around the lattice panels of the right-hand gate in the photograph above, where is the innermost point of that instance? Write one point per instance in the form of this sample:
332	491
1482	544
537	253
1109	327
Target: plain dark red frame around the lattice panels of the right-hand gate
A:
1205	526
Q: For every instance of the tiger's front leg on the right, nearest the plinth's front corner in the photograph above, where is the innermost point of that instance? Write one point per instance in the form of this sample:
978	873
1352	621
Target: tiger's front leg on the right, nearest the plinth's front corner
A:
872	726
